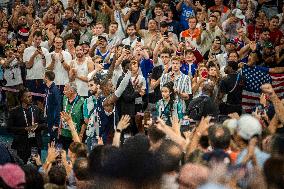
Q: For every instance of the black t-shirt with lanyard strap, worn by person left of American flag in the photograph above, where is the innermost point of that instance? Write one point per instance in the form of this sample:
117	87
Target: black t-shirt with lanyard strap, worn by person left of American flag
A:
228	84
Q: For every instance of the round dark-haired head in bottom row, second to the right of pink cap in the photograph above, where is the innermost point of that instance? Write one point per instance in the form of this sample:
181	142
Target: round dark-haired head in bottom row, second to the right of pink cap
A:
57	175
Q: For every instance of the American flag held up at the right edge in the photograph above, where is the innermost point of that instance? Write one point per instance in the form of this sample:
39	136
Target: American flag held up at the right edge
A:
254	77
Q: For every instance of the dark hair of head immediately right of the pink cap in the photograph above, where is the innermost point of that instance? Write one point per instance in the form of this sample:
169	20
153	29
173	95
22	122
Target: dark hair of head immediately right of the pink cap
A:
33	178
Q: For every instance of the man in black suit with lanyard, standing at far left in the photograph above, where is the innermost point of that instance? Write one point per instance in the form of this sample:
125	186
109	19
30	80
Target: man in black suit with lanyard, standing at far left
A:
26	122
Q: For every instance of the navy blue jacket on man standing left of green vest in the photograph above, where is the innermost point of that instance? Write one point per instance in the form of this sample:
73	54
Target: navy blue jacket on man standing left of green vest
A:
53	105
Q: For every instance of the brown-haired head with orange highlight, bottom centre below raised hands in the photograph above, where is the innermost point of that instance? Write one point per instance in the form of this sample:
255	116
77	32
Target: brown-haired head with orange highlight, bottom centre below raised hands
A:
169	154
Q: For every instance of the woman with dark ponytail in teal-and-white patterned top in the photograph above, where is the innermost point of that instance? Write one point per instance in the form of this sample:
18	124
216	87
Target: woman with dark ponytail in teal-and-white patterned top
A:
169	106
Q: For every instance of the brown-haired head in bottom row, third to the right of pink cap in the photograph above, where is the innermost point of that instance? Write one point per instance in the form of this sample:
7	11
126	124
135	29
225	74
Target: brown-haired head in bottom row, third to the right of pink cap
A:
81	168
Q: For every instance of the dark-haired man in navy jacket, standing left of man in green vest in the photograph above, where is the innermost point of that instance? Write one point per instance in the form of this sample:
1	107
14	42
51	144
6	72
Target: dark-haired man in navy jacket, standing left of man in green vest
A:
52	105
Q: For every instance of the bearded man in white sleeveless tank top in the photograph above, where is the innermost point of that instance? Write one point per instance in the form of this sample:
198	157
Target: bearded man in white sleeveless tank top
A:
80	68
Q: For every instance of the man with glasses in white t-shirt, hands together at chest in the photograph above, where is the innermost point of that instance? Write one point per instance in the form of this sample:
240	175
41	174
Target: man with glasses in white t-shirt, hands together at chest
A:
60	61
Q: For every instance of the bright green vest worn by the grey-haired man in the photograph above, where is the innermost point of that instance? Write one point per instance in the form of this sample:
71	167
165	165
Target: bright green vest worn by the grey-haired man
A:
74	108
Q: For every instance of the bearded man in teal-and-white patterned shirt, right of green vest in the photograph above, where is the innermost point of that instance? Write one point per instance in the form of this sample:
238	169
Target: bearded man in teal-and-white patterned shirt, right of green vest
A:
90	113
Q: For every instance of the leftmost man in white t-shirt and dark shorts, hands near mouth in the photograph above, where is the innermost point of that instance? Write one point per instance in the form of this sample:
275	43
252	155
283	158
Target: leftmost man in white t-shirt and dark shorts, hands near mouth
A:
35	57
